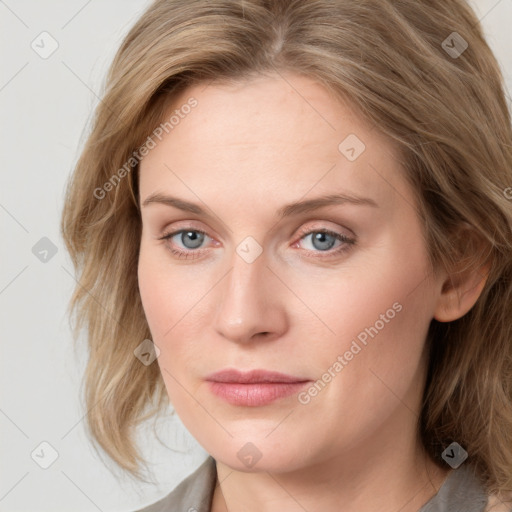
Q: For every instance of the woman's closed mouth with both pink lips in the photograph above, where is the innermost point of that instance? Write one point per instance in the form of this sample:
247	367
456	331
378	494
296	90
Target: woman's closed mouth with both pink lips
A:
254	388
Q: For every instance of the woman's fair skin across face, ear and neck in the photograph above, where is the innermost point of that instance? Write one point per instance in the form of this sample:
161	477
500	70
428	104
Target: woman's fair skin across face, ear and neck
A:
244	152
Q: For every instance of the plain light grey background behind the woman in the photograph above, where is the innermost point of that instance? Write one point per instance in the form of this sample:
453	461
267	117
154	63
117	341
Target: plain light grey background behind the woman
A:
46	105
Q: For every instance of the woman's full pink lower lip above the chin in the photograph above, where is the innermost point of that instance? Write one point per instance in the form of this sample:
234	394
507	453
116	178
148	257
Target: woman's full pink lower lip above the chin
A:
253	395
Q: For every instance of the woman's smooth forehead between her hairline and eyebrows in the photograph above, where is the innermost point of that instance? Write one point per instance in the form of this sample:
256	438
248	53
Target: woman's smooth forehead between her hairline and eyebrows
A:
285	133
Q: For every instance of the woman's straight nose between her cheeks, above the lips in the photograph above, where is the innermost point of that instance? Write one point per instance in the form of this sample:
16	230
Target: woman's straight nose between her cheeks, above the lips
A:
250	302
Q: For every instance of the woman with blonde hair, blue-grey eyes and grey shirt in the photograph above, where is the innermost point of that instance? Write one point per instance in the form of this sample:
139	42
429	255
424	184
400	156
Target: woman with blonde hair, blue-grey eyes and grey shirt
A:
301	210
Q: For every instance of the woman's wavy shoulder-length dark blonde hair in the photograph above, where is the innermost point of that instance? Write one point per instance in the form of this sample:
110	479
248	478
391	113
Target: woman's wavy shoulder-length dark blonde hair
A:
394	61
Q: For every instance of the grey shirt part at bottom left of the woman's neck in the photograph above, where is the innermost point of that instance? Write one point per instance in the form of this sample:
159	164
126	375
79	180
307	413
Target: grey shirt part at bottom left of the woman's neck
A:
194	494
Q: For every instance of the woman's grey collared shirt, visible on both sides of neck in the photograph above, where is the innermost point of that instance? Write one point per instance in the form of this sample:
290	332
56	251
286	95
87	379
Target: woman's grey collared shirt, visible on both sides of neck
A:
460	492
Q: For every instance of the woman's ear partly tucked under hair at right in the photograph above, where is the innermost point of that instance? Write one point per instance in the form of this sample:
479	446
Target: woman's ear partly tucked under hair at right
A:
461	287
